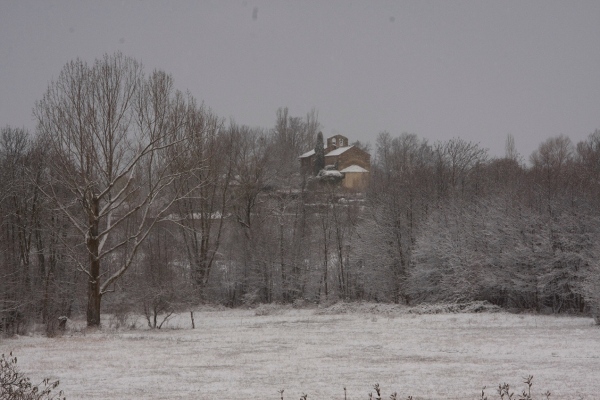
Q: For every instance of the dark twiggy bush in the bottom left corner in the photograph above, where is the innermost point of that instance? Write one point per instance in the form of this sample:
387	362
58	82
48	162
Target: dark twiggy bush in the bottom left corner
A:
15	386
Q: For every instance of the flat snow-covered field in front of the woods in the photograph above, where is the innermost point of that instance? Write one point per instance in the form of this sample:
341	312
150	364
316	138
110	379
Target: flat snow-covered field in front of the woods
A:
237	354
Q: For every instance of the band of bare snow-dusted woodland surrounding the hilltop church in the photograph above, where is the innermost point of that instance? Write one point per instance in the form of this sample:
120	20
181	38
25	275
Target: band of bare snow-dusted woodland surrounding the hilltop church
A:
130	196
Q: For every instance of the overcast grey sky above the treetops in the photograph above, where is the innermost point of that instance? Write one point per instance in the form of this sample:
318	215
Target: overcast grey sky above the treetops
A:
478	70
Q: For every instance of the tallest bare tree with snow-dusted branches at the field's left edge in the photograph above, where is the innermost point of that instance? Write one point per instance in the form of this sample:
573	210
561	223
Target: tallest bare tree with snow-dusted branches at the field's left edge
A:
110	131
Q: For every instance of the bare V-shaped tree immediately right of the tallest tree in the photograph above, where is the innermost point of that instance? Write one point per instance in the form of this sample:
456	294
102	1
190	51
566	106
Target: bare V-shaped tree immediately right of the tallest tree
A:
203	208
